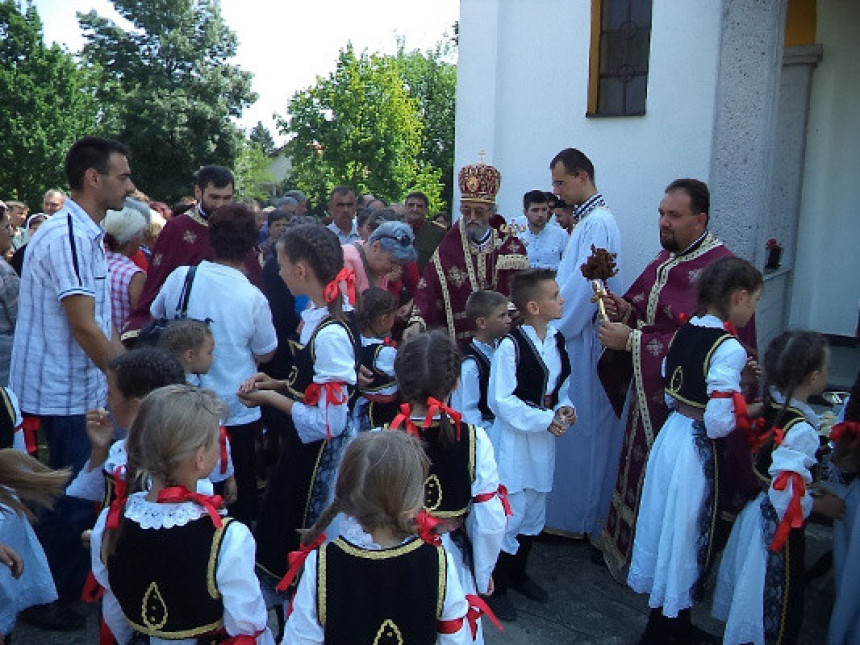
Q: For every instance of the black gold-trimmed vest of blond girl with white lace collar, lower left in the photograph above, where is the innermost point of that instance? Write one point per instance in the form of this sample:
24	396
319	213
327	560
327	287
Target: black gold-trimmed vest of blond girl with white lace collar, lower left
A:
164	580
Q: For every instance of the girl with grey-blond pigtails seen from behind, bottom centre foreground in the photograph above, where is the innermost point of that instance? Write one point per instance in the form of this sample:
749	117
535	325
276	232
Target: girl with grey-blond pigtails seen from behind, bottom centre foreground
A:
414	594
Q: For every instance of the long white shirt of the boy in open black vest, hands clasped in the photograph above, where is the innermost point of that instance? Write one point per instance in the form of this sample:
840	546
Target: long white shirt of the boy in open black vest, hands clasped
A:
526	452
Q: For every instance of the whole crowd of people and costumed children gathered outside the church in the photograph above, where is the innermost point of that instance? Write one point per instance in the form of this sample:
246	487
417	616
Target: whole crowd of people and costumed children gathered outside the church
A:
234	412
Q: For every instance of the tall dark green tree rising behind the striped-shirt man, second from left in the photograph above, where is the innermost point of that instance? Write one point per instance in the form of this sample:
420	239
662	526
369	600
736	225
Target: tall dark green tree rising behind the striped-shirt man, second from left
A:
176	89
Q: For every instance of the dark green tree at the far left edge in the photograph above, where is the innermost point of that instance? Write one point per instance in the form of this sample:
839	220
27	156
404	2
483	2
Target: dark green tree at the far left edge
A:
48	103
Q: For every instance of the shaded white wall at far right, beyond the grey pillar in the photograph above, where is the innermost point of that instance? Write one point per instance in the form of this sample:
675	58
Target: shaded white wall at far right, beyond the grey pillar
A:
827	267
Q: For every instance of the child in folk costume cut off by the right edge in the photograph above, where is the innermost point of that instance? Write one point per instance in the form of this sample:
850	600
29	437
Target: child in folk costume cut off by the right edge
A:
845	622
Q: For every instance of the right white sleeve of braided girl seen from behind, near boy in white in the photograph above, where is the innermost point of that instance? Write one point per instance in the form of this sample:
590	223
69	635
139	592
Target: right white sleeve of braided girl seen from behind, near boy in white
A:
486	521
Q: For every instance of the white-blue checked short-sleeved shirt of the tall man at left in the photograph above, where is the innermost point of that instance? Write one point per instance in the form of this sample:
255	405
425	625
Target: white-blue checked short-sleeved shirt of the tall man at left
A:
50	372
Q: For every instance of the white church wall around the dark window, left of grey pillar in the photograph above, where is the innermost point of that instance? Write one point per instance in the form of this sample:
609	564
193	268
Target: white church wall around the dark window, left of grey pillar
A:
522	95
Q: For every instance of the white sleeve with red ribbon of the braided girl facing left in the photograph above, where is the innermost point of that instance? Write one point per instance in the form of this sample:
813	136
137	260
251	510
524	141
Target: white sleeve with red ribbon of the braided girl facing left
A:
335	362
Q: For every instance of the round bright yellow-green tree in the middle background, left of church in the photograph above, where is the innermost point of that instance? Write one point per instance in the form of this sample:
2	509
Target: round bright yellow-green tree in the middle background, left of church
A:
359	126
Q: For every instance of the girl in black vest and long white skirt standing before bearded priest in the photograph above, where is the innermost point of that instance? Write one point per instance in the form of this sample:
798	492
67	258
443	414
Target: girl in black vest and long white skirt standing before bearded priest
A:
678	510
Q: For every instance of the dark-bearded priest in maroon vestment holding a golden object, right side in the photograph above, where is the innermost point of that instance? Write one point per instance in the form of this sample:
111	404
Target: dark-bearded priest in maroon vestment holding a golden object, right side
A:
647	317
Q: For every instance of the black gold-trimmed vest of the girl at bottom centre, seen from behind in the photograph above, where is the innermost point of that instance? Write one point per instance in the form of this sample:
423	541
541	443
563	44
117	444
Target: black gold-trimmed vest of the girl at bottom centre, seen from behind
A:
390	596
